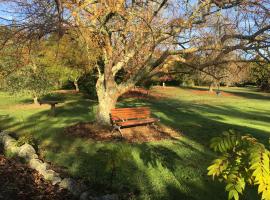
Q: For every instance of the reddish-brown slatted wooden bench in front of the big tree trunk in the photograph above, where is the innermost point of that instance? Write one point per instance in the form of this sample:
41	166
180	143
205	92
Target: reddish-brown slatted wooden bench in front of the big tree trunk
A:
124	117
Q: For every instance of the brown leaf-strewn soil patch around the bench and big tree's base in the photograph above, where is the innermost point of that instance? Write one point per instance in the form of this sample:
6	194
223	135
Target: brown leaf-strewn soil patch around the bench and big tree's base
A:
138	134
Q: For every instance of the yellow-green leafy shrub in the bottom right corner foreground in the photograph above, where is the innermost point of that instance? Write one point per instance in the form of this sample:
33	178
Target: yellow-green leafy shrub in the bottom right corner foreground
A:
242	160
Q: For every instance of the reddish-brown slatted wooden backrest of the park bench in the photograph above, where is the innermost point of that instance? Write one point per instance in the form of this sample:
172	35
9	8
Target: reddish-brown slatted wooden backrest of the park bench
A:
130	113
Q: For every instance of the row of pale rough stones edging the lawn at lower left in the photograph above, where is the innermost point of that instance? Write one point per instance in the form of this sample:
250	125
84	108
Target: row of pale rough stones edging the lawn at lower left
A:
28	153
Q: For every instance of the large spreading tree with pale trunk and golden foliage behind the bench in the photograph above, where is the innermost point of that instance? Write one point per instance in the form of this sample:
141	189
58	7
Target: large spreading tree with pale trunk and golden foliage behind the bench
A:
138	38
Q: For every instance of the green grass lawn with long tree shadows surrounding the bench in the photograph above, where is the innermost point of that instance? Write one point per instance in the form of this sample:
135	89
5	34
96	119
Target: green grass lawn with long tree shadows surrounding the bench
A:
171	169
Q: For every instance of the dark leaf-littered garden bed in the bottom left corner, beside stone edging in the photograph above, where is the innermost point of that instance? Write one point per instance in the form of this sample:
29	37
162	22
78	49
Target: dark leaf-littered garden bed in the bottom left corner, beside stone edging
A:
18	181
